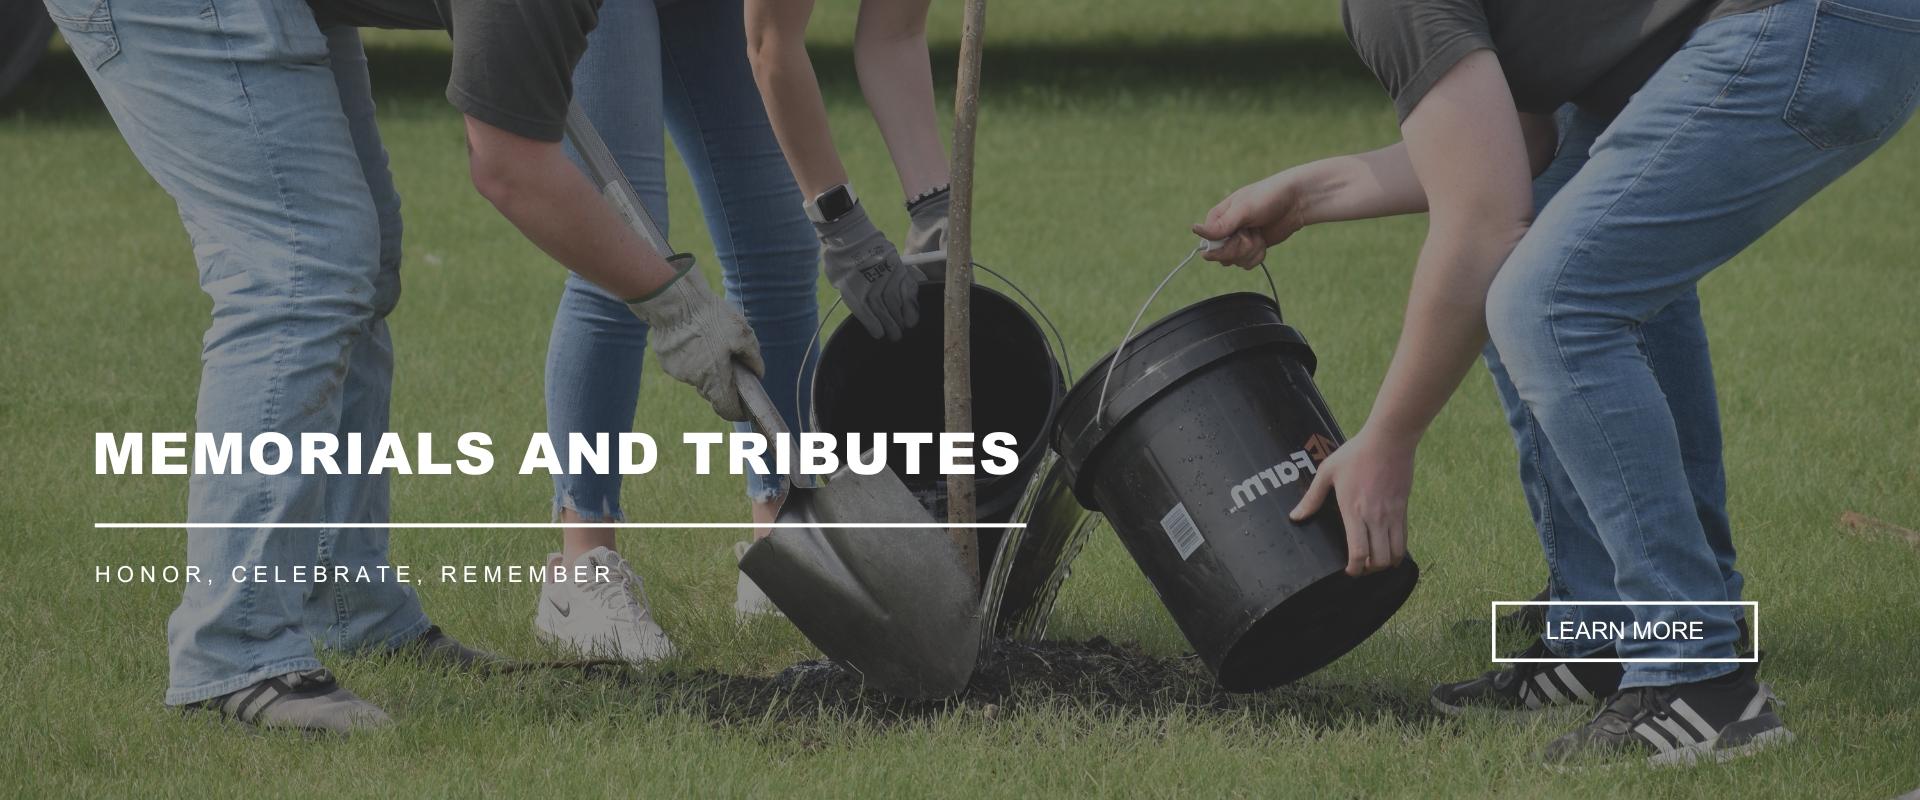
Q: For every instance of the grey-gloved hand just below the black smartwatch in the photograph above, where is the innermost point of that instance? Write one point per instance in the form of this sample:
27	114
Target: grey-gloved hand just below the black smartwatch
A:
863	266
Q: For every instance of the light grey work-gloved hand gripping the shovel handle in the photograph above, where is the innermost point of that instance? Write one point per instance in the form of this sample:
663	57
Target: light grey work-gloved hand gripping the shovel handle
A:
698	339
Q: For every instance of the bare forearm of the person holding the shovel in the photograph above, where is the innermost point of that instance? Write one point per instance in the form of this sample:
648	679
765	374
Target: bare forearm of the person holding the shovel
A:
544	195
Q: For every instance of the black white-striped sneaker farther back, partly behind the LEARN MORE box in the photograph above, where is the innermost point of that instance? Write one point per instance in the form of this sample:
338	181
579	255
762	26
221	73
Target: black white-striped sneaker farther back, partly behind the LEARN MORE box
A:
1533	686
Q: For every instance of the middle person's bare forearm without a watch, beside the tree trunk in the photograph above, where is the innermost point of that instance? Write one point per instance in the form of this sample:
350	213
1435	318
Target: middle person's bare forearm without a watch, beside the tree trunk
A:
892	59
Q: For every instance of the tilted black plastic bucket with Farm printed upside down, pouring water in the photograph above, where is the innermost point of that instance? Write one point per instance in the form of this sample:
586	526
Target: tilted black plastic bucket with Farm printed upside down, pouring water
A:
1212	433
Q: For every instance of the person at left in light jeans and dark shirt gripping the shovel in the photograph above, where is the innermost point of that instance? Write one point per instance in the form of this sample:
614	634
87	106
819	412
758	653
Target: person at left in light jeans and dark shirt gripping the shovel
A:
256	118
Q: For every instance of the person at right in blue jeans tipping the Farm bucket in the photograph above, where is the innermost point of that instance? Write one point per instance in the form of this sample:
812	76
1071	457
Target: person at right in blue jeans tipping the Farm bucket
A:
1577	250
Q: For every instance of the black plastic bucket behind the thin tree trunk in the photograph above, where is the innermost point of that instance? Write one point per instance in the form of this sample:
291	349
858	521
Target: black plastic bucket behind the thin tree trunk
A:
871	387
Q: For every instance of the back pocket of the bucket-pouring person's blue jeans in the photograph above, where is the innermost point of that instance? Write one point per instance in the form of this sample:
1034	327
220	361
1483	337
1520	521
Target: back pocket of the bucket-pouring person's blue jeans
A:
1861	74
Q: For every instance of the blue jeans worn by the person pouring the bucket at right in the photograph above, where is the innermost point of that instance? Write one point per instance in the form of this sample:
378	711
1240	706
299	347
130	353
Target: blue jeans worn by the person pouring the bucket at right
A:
1598	344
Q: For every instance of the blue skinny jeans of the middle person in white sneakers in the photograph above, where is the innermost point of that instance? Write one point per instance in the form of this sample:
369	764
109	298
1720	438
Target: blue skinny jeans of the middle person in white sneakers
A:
684	62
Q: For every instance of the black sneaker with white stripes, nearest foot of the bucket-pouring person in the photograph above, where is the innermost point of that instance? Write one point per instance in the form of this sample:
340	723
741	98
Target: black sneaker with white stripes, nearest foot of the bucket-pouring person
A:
1714	720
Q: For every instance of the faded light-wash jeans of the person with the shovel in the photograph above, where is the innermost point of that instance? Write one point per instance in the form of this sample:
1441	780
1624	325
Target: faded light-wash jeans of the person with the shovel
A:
260	126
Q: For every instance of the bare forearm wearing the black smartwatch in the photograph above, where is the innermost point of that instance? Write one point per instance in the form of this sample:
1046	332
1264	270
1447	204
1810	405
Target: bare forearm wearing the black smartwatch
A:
777	45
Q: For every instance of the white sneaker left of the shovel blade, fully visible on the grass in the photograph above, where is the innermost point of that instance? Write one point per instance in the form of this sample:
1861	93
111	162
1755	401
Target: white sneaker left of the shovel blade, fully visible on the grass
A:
600	619
